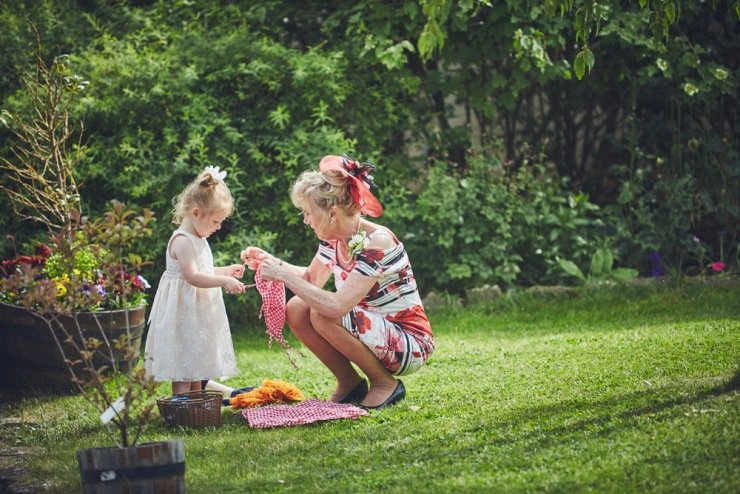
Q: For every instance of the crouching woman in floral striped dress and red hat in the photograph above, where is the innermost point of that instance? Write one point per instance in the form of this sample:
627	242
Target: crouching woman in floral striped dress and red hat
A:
374	319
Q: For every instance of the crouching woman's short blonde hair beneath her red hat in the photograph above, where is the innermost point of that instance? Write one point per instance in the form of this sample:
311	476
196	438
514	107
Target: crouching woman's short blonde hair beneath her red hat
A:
325	189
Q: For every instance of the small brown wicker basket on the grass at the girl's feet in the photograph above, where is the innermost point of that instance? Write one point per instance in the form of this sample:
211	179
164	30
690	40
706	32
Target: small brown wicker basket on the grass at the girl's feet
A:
200	409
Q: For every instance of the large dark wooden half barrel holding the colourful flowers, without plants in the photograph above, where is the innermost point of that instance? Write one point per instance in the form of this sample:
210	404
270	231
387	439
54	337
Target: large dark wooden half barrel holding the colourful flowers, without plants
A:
30	357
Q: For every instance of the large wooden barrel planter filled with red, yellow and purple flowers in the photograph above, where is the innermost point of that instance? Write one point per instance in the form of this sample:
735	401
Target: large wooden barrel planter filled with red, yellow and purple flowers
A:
63	305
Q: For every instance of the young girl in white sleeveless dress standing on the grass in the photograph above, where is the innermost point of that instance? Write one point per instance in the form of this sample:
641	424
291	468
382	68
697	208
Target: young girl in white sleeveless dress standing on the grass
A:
189	339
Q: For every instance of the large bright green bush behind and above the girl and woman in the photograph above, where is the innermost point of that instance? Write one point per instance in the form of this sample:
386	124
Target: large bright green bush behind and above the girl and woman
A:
228	97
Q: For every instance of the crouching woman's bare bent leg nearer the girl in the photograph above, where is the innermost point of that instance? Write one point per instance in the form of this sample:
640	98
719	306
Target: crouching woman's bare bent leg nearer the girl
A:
299	321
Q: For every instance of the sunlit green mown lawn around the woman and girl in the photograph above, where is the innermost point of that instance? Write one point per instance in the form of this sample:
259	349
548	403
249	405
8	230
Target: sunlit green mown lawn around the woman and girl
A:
627	390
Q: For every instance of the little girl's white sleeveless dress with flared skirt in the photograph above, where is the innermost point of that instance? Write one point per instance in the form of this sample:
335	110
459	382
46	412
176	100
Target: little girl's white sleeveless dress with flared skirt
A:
189	337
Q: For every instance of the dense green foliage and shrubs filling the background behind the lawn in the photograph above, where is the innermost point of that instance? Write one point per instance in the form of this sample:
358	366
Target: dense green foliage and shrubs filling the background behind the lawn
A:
495	161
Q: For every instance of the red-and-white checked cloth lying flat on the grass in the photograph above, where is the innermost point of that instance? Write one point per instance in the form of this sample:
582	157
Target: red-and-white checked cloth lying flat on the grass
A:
306	412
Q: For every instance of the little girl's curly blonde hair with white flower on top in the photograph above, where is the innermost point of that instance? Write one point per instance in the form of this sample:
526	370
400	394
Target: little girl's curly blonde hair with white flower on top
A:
206	193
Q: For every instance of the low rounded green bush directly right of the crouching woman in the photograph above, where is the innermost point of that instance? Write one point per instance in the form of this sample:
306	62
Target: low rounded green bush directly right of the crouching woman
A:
494	223
